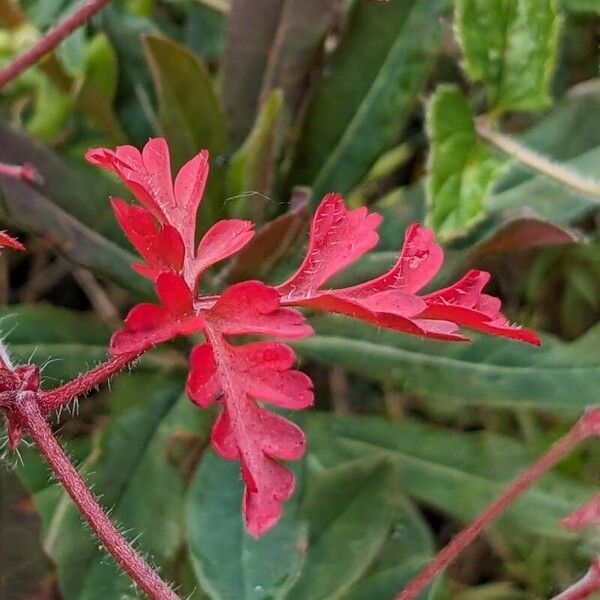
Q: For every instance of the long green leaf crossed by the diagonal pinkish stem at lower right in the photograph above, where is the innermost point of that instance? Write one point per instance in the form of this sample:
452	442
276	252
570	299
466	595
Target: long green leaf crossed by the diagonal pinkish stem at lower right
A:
453	471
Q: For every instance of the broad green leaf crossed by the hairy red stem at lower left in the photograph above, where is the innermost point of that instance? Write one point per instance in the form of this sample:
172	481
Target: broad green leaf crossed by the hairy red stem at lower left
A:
132	470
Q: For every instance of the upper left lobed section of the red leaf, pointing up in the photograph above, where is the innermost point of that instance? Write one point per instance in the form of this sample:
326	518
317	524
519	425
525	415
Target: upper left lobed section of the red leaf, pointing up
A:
164	233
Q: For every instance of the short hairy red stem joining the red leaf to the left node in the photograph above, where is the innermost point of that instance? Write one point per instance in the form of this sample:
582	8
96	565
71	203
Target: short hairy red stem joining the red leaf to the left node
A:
54	399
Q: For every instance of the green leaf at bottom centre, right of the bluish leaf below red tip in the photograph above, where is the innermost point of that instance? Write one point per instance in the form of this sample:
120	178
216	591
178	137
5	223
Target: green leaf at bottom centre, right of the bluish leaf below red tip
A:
347	507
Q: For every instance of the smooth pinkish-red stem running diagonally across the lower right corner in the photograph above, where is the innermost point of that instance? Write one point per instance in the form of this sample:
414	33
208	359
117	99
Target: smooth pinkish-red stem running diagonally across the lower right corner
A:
588	425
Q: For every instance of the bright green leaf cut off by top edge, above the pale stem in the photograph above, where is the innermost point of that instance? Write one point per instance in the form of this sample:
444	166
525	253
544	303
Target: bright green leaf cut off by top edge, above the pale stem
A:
510	45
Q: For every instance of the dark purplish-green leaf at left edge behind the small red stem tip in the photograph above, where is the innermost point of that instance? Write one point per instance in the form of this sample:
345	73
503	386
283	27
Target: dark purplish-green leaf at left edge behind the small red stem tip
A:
71	209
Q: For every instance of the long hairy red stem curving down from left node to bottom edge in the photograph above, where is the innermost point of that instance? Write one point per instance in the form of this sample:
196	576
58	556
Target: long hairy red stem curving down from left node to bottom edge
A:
138	569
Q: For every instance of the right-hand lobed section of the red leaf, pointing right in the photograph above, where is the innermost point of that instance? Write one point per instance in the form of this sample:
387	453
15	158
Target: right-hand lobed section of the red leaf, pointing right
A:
339	237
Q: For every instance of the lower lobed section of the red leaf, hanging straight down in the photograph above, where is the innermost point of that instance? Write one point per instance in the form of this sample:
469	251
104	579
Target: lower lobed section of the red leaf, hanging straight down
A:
238	376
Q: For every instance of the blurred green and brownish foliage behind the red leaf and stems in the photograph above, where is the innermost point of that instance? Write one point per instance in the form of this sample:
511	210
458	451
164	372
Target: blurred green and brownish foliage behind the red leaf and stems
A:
478	117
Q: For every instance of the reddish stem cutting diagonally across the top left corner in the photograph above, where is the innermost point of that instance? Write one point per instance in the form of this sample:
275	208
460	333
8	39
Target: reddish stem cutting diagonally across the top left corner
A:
51	39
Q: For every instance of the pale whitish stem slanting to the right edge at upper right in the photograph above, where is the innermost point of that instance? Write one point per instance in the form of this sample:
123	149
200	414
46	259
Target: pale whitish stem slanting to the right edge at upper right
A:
509	145
